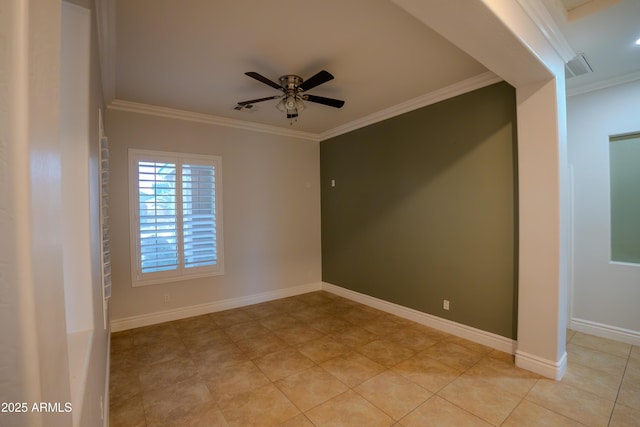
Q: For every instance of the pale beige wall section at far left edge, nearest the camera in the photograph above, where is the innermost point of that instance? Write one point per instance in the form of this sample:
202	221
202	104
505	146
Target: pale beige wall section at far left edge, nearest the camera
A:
33	359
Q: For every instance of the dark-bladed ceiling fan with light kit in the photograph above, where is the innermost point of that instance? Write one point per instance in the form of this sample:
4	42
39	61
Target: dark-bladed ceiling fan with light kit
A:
292	97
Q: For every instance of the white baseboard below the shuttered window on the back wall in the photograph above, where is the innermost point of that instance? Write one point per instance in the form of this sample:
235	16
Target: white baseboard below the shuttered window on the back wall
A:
124	324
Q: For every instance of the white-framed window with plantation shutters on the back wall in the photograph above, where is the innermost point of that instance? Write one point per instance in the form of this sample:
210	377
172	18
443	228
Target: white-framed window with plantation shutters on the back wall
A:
175	216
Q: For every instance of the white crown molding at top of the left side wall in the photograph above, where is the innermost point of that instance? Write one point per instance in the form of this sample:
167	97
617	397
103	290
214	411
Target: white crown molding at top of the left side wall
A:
106	22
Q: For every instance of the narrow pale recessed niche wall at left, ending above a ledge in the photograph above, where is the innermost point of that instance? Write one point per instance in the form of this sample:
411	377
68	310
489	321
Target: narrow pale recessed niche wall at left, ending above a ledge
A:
74	143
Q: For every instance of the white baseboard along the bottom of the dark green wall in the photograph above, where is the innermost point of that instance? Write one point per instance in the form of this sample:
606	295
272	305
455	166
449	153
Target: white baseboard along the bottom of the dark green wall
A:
467	332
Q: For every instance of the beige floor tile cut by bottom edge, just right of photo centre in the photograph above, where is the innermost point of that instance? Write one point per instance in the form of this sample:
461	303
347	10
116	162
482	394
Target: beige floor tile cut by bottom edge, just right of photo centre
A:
348	409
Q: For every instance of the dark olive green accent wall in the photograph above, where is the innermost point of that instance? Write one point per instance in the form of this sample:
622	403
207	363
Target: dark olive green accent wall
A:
424	209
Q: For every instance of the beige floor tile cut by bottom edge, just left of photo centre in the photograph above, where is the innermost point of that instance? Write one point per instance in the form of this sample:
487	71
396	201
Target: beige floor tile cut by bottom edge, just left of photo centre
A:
265	407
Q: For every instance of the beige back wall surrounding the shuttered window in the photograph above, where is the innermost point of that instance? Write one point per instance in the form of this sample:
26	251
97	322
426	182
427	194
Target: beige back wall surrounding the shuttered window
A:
271	214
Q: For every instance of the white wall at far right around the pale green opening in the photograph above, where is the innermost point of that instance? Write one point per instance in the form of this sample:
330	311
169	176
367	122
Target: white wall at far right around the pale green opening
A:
605	295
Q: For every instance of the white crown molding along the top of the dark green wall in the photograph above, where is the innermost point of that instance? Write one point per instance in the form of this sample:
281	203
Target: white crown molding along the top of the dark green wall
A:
468	85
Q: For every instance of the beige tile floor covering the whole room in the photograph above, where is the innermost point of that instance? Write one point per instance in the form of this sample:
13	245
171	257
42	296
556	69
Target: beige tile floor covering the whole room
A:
321	360
